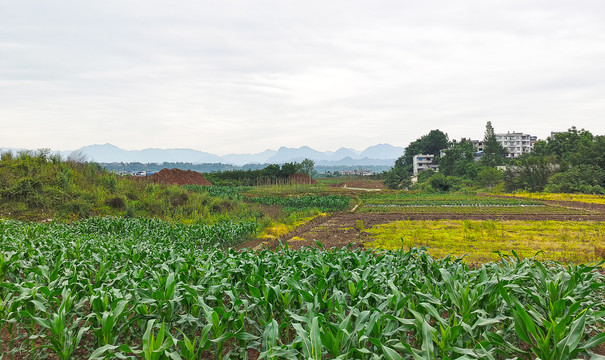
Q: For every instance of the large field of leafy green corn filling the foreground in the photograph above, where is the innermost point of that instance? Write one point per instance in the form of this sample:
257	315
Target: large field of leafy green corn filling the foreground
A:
144	289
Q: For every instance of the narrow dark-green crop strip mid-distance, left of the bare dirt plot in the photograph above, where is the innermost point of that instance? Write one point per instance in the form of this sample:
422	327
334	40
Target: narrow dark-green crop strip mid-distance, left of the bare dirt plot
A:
323	203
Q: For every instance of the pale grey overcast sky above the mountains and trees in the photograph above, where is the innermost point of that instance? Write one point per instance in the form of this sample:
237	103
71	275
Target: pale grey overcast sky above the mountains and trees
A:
244	76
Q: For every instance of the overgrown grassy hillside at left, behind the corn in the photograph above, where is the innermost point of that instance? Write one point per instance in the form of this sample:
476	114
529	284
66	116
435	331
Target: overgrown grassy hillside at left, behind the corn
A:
41	186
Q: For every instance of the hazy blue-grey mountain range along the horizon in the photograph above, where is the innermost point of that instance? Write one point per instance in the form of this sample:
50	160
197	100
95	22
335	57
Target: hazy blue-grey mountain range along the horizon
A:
378	155
